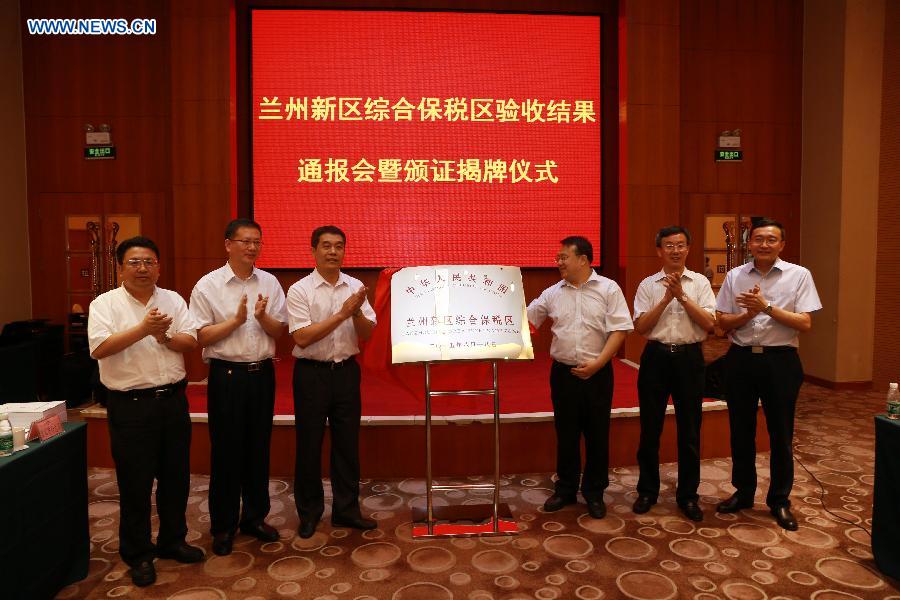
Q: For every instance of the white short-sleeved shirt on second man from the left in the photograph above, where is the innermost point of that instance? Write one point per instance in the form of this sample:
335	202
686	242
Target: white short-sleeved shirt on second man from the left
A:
215	299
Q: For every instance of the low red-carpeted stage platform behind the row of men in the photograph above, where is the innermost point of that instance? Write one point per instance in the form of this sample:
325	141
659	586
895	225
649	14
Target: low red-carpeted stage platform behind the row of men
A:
392	437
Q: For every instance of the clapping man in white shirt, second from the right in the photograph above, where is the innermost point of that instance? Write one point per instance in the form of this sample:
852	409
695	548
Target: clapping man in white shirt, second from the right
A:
674	310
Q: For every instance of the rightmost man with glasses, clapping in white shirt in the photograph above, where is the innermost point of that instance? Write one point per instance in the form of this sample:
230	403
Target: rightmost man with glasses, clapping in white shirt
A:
764	305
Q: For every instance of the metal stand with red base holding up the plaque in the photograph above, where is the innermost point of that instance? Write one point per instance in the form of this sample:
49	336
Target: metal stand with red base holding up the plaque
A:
482	519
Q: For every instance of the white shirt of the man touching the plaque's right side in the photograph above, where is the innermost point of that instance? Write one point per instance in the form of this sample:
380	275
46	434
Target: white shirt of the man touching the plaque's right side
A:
583	317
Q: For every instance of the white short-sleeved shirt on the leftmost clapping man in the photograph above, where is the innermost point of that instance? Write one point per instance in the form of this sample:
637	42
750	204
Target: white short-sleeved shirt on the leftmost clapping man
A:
146	363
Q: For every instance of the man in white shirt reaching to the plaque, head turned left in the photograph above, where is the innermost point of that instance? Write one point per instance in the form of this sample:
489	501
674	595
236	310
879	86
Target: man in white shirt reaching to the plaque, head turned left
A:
590	321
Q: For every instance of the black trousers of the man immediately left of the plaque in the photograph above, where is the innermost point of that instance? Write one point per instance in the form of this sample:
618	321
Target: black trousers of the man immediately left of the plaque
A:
324	393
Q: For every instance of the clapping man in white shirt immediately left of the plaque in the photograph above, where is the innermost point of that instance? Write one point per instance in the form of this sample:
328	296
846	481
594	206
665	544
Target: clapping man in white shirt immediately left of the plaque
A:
328	314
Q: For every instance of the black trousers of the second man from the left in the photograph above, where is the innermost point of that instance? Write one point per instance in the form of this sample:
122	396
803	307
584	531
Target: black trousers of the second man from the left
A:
240	406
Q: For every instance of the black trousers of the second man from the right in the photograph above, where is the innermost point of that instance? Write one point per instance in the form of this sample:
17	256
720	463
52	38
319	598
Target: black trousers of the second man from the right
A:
681	375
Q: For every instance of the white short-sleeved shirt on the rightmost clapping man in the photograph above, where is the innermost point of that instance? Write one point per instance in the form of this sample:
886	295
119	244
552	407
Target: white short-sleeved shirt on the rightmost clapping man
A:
786	286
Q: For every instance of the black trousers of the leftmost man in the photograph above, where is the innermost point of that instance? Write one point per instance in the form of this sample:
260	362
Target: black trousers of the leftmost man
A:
150	437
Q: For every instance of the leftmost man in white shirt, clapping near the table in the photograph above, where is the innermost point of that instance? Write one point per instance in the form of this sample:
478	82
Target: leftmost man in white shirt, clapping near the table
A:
138	333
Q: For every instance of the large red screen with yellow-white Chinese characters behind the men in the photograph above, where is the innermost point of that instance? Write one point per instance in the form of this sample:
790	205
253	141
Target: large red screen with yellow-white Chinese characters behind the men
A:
425	54
